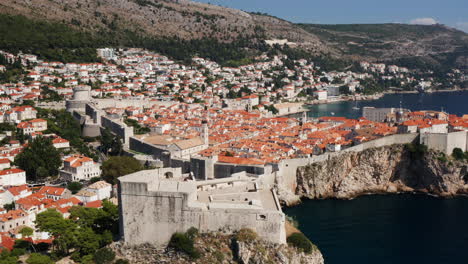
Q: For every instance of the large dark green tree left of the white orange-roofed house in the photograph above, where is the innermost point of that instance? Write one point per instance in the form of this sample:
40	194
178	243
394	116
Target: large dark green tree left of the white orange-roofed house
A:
39	159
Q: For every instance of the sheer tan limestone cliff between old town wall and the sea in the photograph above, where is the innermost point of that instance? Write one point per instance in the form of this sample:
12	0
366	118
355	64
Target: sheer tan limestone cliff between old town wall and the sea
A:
380	170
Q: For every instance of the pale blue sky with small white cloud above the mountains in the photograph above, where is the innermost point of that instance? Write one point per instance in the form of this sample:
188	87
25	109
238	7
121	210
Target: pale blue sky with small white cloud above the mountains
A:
453	13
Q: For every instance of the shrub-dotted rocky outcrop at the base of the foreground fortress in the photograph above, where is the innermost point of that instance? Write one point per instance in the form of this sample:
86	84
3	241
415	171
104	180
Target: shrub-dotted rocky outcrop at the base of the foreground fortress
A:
220	248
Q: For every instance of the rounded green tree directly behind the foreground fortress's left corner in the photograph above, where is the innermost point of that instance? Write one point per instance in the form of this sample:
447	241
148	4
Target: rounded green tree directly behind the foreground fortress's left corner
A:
119	166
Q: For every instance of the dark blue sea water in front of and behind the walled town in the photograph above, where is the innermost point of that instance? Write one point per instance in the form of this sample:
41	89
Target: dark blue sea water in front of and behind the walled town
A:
397	229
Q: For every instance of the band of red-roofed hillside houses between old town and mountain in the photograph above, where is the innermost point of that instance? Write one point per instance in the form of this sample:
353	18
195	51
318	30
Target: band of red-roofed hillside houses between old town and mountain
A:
141	74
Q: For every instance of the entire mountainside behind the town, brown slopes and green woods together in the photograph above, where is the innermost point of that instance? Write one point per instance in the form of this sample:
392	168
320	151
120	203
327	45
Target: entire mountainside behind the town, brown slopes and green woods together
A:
181	28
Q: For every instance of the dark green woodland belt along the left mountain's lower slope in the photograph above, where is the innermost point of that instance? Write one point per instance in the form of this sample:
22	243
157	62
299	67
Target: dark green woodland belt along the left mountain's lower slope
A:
60	42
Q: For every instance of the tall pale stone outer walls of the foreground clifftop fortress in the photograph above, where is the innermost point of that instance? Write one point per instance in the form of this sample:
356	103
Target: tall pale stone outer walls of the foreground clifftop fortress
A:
152	210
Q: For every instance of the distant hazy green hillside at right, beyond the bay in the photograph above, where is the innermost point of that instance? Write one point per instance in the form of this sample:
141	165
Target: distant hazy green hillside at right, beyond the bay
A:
435	47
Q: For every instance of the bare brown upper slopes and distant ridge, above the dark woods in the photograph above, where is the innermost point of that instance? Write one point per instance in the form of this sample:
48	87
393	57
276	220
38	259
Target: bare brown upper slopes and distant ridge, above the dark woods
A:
410	45
